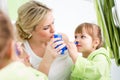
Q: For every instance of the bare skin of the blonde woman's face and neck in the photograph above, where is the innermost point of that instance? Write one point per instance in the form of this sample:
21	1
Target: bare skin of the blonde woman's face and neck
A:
42	33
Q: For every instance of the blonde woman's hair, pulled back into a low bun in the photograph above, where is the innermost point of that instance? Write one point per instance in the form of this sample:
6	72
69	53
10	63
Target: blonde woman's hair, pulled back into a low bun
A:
30	15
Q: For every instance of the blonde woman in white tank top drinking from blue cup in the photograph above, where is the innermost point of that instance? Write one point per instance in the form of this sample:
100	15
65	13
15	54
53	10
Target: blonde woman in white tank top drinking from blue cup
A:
35	26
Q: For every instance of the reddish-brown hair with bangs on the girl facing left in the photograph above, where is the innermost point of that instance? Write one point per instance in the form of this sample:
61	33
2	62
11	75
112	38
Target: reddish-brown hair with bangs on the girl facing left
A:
92	29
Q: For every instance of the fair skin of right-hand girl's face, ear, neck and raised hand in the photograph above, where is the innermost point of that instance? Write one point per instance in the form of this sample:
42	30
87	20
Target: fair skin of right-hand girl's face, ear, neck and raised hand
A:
85	45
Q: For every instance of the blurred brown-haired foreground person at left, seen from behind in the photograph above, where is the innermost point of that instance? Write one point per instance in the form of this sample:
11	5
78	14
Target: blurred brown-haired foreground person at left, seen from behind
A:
11	67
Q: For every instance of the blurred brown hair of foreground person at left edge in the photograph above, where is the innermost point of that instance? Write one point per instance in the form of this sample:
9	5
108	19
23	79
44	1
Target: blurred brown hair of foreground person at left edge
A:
6	35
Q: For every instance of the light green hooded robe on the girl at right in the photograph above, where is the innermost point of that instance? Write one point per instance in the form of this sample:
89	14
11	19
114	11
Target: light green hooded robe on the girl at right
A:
95	67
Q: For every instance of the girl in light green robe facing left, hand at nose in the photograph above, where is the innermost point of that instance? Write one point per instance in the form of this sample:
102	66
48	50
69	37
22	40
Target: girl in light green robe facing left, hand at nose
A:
95	63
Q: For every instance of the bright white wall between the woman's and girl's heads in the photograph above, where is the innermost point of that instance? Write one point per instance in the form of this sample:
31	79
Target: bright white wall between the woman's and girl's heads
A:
70	13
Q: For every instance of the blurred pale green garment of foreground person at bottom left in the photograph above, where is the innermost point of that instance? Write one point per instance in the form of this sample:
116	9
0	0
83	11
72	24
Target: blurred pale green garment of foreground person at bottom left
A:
18	71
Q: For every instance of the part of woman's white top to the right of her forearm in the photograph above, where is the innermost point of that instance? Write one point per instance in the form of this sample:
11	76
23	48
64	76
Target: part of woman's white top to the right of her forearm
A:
61	68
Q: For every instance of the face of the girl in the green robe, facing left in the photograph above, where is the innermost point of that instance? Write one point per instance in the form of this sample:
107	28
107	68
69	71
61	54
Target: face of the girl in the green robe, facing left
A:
85	42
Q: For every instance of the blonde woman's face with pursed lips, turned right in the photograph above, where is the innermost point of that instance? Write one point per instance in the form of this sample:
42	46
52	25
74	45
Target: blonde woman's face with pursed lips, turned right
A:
45	30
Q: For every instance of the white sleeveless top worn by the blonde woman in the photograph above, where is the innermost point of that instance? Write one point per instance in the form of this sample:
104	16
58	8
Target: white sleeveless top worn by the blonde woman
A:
60	68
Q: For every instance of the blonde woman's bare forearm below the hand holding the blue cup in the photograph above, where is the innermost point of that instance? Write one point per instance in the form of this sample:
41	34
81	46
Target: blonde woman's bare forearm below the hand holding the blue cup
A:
48	58
